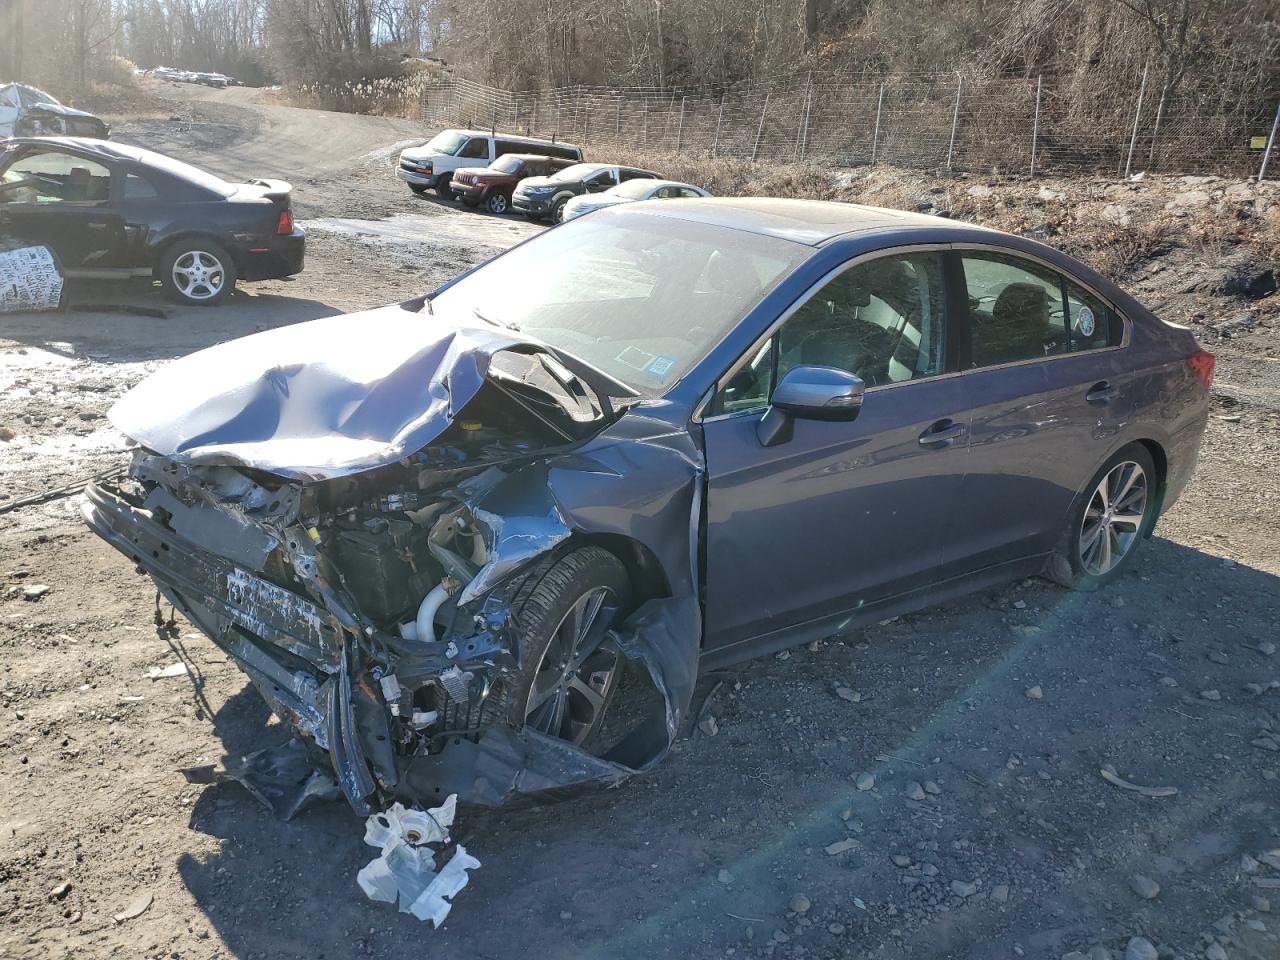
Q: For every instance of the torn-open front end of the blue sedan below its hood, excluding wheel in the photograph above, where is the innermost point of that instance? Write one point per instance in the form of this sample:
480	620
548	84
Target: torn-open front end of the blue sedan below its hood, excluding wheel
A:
376	610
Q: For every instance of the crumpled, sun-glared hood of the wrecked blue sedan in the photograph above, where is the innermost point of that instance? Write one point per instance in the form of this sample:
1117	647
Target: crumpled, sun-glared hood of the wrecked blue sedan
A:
318	400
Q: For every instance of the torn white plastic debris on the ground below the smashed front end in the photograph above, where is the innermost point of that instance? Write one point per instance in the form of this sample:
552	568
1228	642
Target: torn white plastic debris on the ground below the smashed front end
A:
405	871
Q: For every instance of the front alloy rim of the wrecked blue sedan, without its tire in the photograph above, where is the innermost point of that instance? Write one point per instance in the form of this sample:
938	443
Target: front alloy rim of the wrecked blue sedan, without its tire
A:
577	674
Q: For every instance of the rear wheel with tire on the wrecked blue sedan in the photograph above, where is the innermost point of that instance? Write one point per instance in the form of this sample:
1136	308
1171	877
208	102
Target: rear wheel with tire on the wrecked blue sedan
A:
1112	518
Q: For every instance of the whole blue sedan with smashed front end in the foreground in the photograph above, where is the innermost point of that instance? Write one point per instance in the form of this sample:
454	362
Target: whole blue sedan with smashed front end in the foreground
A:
441	536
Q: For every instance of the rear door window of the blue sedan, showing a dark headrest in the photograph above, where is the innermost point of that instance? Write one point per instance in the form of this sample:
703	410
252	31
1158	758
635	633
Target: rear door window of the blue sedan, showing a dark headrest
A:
1016	310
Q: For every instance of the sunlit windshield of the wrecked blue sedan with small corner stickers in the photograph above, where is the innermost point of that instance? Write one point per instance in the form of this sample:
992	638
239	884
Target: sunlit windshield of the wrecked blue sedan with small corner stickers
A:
641	298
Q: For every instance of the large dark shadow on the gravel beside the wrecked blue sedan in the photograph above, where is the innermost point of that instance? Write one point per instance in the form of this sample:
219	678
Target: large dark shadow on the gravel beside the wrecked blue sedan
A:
1025	844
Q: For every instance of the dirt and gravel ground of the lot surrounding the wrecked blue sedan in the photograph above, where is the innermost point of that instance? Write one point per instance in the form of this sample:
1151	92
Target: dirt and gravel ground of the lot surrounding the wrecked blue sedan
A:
764	840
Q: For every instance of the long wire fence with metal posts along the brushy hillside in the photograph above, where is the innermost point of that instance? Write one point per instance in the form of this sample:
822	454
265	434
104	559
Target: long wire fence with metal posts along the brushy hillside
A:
939	122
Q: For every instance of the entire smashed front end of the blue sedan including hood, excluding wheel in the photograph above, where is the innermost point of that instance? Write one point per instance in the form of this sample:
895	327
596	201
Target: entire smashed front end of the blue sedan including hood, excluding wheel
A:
354	531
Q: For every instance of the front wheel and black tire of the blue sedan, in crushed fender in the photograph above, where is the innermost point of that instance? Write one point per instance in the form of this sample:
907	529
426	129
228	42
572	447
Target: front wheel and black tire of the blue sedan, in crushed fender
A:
570	670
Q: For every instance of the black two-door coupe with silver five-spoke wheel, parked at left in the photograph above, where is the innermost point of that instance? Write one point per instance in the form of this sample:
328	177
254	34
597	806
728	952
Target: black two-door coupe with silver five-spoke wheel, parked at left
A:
115	212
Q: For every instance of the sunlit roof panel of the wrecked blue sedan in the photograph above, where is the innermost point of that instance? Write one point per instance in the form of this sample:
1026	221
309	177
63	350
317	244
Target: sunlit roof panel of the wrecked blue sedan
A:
811	222
